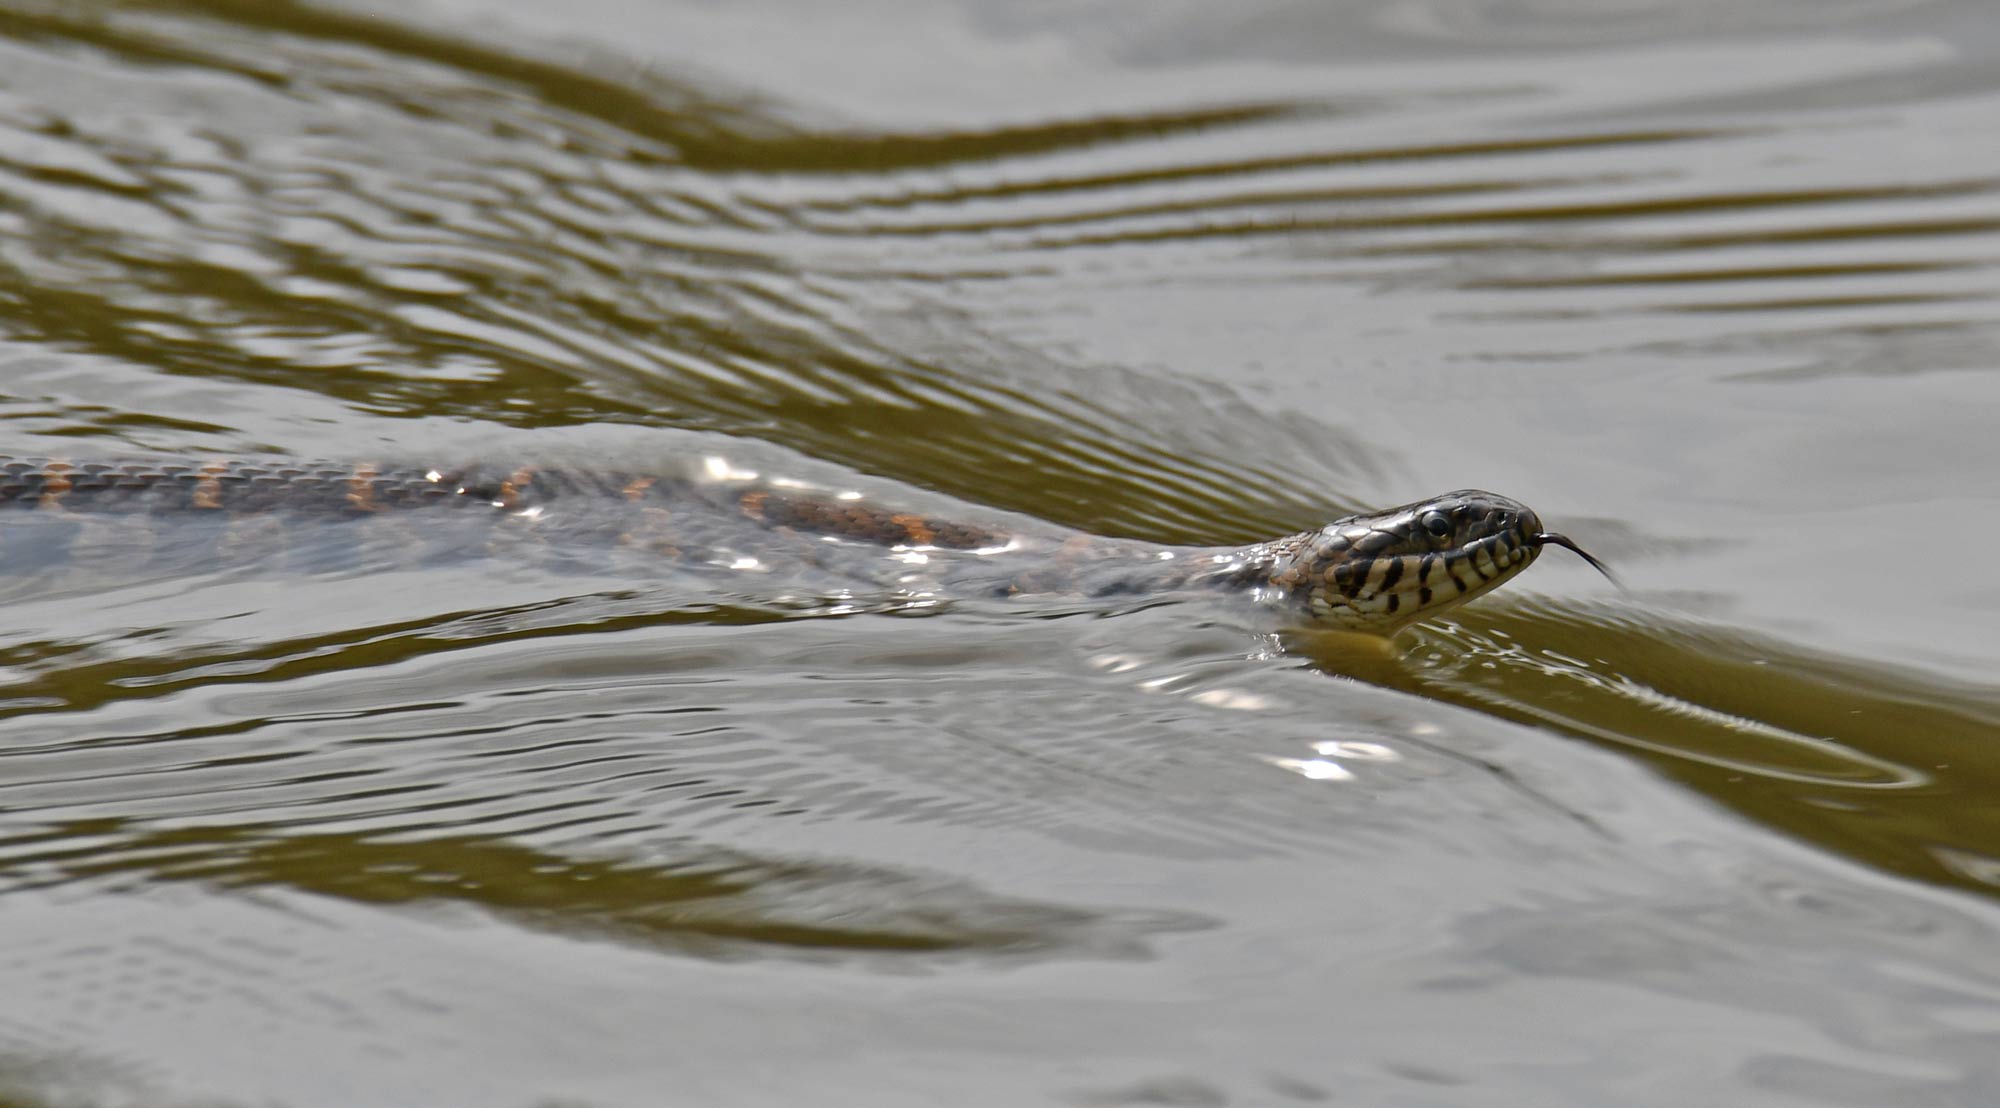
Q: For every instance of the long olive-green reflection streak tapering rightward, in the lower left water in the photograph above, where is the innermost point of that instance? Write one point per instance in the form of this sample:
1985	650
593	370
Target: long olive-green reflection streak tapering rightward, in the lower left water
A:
705	901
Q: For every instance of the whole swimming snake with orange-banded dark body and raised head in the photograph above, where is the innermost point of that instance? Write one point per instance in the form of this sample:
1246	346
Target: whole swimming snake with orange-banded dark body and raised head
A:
1367	573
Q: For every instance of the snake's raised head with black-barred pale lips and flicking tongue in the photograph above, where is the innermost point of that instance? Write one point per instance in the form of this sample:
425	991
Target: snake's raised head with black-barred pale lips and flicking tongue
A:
1385	571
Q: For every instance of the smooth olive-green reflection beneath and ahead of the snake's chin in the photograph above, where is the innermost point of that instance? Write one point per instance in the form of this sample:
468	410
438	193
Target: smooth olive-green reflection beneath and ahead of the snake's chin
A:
1877	763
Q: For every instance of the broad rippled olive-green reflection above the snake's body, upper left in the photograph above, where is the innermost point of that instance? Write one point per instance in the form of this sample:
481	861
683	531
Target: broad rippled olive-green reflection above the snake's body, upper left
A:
477	187
